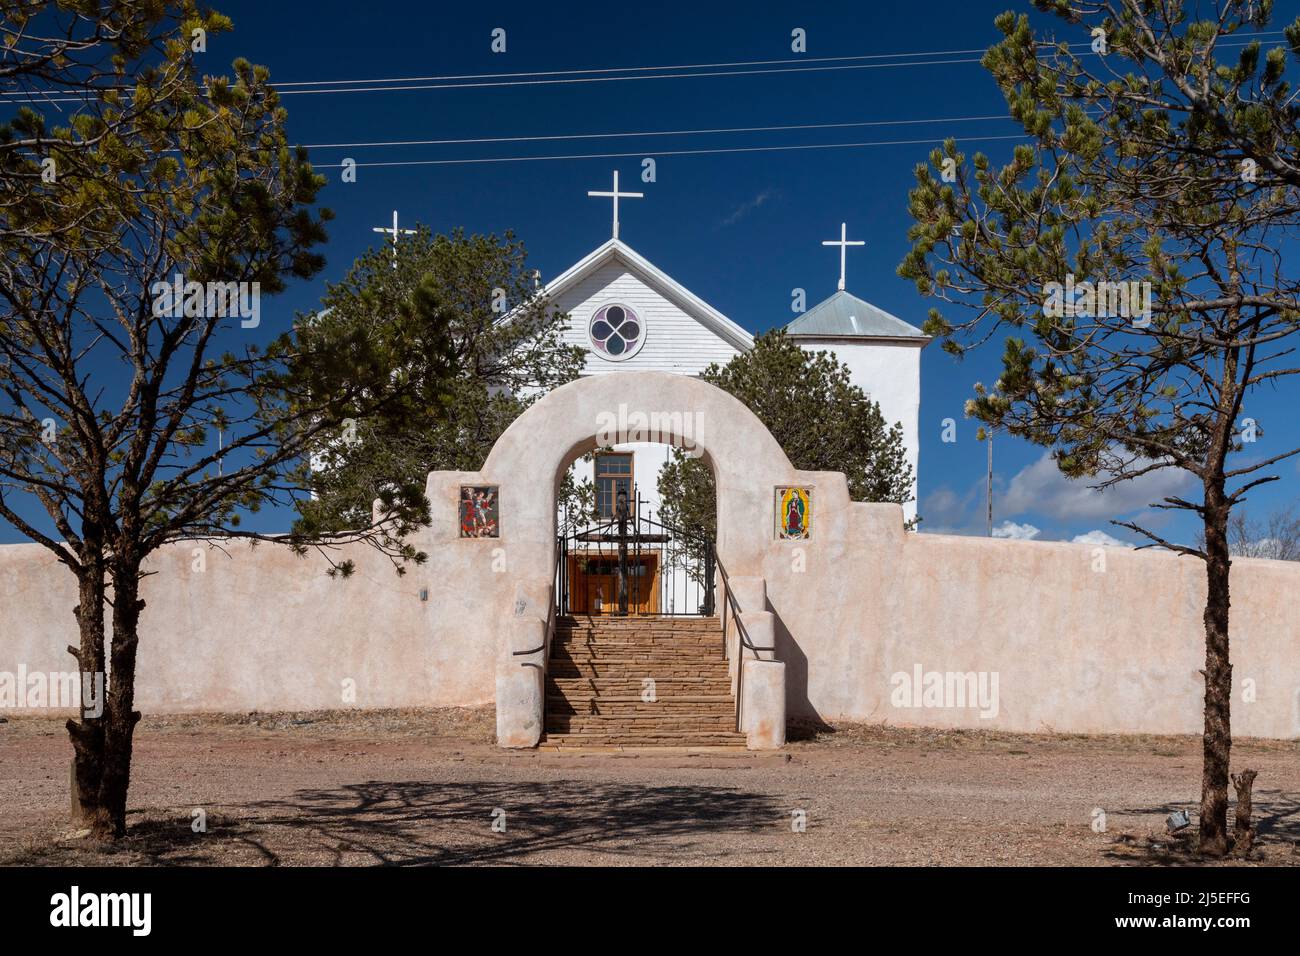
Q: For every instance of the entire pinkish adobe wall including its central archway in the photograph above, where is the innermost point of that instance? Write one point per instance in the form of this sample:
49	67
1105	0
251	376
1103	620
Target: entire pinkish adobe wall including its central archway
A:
1073	648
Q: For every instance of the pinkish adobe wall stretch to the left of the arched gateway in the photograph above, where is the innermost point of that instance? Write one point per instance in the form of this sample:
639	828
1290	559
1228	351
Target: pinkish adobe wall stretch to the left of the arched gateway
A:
258	629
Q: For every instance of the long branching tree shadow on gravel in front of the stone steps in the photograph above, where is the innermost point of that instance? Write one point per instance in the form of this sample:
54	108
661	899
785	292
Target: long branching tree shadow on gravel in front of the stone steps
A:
448	824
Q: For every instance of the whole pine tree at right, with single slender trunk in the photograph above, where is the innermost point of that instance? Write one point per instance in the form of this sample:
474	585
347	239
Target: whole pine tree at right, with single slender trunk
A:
1129	253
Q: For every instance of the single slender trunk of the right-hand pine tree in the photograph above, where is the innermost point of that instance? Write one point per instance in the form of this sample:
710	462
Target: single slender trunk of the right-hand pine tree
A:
1217	742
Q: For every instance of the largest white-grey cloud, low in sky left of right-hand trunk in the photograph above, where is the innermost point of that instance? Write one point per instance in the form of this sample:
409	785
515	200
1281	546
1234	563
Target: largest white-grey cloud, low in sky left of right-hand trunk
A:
1041	488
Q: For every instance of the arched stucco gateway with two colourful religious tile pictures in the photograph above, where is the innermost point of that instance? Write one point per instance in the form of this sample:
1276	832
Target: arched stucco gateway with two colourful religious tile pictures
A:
496	534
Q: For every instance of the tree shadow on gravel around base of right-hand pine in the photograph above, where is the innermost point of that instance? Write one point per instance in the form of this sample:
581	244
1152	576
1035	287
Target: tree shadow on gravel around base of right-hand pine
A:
1276	817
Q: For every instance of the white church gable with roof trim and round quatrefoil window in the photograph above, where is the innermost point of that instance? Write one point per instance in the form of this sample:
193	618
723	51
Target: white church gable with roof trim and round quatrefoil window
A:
630	315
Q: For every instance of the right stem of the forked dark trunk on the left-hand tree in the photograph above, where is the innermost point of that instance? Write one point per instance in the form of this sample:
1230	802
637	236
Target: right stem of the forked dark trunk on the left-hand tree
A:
120	715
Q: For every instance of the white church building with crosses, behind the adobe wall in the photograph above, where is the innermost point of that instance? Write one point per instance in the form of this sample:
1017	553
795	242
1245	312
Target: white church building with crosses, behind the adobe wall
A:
631	315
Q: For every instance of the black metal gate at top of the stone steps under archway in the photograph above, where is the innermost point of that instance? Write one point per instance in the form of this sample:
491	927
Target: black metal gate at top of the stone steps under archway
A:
634	565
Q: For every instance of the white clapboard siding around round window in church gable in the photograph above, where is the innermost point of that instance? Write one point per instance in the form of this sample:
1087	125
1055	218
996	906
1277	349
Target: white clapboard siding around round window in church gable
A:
675	340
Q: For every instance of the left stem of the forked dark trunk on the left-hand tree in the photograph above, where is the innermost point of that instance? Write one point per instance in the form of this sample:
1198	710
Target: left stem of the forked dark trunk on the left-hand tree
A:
88	730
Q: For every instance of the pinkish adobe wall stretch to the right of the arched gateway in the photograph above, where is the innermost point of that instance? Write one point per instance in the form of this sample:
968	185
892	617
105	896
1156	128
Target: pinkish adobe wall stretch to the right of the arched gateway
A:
1081	639
